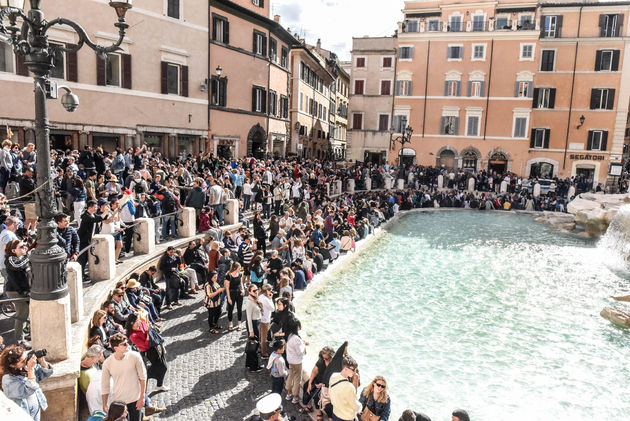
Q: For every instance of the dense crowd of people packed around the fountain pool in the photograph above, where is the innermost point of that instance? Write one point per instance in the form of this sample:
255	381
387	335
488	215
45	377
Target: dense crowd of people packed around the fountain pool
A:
292	229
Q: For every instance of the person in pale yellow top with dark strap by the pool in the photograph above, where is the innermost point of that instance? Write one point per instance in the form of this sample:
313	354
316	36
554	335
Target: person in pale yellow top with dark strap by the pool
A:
343	391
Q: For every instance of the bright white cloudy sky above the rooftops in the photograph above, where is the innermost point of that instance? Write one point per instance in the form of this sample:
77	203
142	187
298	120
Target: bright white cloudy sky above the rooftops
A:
337	21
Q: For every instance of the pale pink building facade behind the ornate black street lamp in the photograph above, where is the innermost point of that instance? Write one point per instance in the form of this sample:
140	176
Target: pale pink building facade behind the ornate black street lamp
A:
143	94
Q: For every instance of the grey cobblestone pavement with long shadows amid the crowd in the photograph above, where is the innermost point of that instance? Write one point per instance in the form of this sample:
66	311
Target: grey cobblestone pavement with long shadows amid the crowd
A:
206	373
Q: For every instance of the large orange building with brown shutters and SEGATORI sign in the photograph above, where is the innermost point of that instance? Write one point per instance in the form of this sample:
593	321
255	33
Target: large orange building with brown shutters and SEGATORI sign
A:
533	88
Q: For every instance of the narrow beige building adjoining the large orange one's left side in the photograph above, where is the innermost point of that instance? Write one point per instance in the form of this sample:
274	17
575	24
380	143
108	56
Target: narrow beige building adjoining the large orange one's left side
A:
372	84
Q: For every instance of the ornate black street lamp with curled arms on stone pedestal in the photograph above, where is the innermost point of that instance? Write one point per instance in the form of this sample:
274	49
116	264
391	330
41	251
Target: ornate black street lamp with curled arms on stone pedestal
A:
31	41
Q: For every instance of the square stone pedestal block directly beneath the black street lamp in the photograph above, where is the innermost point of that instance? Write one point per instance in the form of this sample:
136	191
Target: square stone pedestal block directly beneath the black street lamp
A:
50	327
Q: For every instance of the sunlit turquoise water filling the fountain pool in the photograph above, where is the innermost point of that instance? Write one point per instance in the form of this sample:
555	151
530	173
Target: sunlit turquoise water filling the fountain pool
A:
490	312
